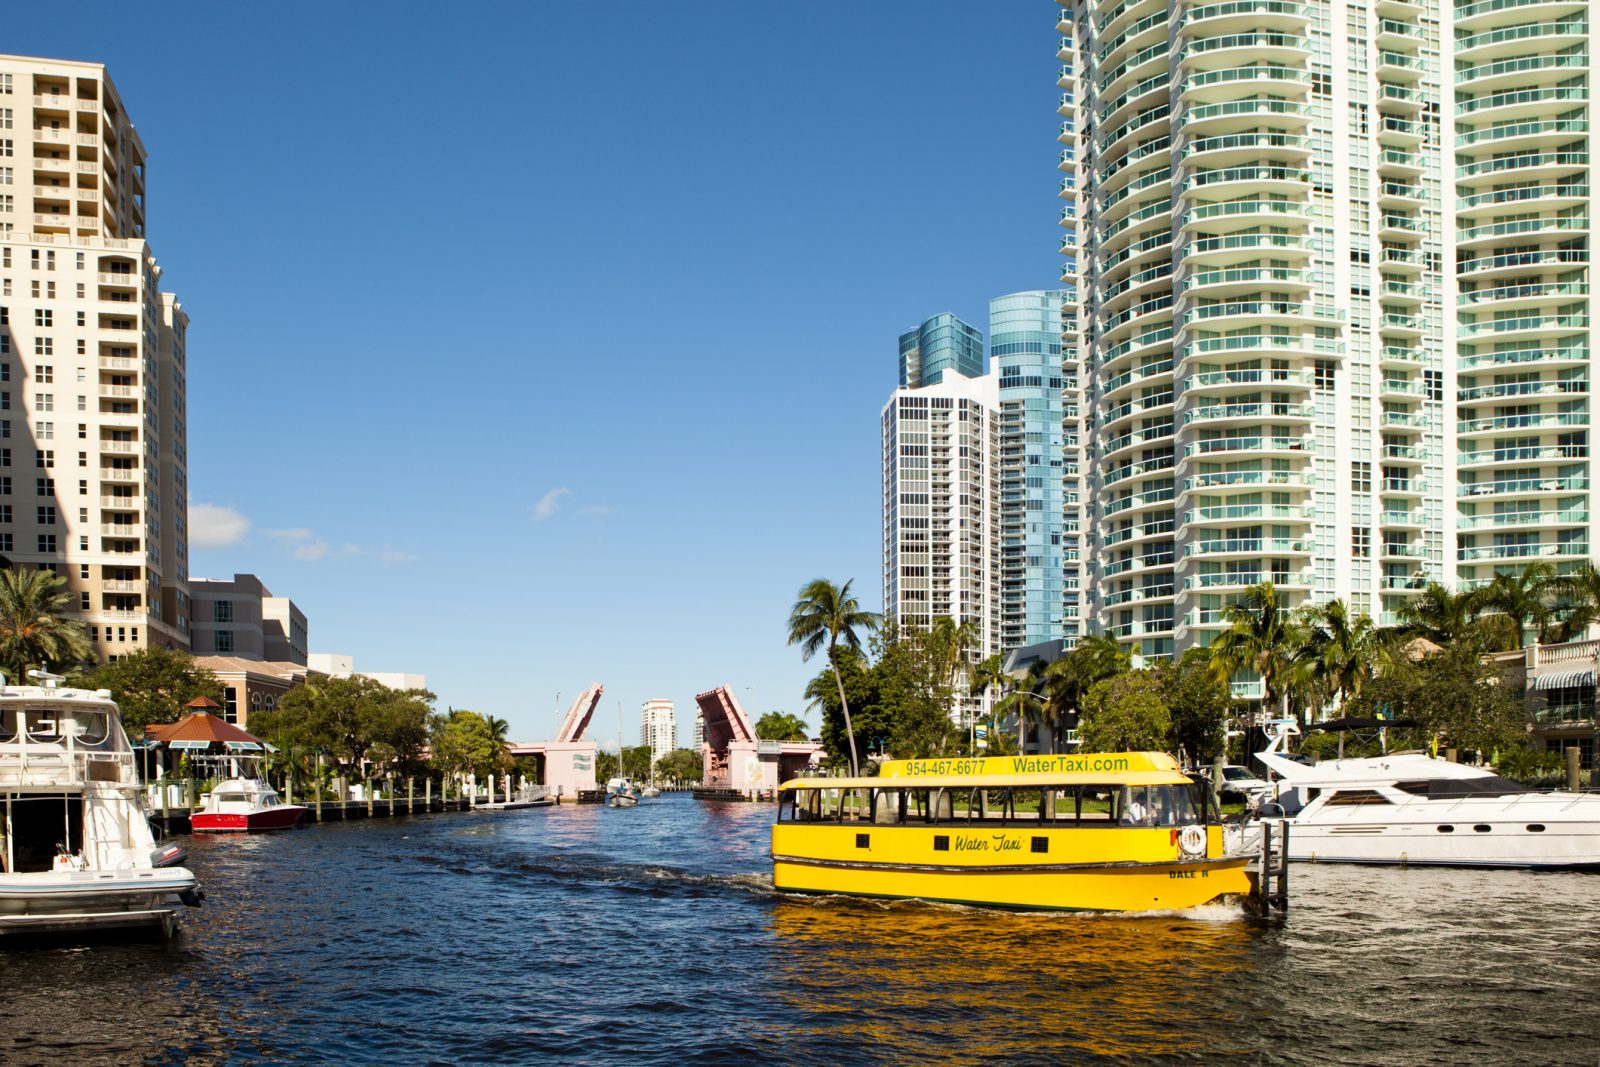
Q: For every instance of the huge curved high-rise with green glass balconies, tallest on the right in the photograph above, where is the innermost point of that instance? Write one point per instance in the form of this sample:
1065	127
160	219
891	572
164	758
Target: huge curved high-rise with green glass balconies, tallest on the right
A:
1335	300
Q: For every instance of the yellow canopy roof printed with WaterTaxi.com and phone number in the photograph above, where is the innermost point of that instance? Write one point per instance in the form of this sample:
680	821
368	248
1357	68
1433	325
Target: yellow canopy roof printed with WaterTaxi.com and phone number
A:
1102	769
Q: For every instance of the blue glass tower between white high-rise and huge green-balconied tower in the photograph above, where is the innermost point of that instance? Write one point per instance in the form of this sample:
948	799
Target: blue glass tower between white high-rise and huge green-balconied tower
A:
1025	354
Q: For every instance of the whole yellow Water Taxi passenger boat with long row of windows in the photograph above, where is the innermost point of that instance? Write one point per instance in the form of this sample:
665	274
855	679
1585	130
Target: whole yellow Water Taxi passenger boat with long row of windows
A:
1119	833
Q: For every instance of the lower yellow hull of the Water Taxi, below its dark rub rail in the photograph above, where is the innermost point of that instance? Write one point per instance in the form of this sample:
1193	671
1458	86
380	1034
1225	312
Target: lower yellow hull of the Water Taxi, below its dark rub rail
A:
1044	887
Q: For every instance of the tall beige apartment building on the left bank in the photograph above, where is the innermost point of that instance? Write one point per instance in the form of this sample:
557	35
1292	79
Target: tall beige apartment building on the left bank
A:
94	471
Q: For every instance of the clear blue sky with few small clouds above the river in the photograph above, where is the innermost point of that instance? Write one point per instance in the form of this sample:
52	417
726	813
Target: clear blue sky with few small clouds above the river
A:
540	345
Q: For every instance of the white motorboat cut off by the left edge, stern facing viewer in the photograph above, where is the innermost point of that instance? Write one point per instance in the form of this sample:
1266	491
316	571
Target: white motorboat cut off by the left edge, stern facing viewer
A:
79	853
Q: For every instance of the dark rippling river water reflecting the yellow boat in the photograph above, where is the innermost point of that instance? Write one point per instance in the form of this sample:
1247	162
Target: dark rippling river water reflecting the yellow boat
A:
650	937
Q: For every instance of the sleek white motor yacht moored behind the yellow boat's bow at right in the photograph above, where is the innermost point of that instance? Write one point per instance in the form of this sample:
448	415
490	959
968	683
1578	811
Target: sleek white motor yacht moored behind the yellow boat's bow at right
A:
1414	809
